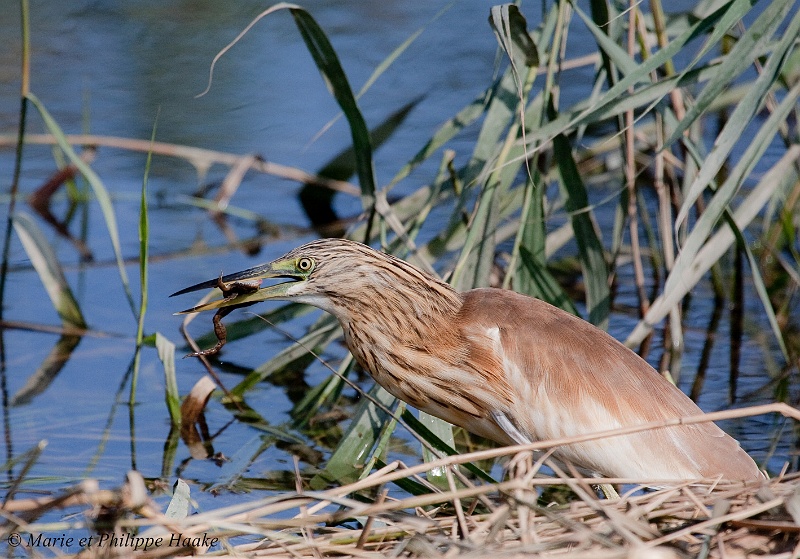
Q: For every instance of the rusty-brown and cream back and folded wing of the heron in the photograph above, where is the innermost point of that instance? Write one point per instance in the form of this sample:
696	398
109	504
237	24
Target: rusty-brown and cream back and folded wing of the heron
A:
570	378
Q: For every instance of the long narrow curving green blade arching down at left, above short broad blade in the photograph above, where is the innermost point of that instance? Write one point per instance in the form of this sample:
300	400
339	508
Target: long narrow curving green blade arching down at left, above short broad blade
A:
99	190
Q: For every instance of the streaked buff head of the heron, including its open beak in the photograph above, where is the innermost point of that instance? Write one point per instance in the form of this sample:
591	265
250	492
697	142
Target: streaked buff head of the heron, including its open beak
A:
336	275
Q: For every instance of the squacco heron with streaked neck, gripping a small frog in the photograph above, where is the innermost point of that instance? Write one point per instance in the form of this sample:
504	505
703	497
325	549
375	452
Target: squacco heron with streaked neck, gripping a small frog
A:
503	365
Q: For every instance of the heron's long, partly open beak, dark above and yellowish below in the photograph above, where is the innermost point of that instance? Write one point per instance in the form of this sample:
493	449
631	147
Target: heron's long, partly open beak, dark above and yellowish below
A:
251	276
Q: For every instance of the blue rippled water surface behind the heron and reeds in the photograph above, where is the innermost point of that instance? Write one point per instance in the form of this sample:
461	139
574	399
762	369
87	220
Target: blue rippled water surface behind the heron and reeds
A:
116	68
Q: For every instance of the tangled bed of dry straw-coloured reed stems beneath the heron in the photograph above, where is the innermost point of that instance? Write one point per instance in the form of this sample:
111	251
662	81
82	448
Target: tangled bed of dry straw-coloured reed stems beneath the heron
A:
506	519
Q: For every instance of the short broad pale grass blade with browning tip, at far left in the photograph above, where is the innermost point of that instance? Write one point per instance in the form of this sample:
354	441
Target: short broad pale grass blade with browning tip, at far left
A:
47	266
